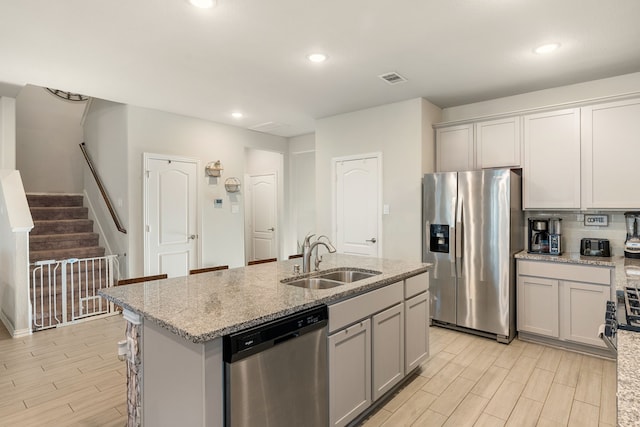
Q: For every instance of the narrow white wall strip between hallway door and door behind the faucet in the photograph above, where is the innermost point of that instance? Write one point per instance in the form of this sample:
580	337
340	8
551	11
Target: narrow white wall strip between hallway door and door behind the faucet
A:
302	187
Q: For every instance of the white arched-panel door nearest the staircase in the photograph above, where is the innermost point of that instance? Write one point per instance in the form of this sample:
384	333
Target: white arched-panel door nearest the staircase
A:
171	216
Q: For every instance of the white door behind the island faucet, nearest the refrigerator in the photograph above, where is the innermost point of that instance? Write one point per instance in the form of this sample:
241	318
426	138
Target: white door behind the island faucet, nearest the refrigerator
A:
357	216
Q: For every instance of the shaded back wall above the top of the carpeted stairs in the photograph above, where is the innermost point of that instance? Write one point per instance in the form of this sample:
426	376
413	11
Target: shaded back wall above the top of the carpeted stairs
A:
48	131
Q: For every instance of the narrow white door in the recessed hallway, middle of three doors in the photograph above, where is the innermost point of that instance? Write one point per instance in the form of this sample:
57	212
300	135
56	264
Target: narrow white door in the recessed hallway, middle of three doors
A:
263	202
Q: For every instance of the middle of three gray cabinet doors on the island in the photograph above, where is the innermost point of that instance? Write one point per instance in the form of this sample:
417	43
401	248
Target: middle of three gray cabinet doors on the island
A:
388	349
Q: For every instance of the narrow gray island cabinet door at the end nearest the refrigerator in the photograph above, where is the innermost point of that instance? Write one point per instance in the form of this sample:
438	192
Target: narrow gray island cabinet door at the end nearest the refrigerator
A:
416	318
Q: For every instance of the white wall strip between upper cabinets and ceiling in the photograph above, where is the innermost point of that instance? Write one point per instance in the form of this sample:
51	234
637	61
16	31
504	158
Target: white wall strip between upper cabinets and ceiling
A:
614	86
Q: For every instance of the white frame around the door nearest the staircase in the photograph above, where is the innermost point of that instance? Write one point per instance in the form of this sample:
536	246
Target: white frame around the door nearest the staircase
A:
146	157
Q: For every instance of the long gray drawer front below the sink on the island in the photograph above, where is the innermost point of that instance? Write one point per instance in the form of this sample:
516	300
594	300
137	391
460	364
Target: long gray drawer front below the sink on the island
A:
357	308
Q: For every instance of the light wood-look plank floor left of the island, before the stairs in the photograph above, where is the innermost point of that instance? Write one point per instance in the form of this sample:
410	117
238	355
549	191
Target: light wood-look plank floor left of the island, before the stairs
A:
67	376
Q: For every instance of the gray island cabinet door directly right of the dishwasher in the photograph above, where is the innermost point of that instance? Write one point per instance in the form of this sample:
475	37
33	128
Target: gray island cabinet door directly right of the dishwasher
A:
350	372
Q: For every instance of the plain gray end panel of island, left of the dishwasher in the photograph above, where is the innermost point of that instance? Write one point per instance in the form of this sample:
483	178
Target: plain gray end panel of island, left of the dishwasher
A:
182	381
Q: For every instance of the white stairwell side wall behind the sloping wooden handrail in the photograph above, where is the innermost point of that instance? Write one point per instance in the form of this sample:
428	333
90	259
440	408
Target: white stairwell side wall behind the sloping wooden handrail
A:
105	135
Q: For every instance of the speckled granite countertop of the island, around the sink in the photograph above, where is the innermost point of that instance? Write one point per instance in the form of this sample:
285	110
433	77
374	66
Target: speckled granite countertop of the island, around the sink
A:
205	306
